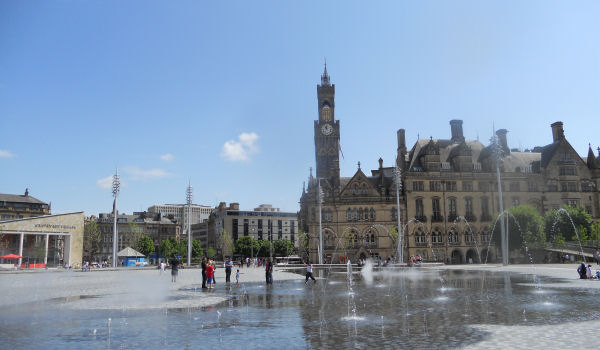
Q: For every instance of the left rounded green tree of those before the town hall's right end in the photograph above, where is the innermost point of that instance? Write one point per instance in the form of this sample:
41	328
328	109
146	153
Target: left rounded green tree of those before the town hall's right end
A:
525	228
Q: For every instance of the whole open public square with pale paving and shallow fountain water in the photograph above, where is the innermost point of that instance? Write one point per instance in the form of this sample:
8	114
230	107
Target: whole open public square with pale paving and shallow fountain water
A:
142	309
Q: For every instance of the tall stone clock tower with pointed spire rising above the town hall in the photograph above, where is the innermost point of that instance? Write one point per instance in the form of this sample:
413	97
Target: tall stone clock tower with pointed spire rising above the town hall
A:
327	133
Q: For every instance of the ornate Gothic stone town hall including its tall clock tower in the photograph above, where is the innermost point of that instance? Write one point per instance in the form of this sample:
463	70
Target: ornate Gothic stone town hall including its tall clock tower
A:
445	181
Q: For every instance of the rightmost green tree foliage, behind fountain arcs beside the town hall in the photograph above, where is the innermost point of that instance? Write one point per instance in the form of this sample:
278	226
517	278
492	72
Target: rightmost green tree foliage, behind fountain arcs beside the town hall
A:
557	224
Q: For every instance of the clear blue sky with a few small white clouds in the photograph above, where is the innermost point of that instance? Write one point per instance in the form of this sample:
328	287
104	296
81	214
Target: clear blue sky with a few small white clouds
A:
223	94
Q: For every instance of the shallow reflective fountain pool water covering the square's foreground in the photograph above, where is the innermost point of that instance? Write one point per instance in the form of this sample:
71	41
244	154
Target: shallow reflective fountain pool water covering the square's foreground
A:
400	309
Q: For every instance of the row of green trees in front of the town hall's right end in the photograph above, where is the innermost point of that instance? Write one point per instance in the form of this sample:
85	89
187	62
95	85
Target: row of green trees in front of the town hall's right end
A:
531	229
